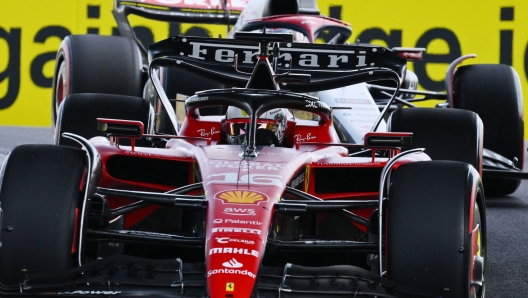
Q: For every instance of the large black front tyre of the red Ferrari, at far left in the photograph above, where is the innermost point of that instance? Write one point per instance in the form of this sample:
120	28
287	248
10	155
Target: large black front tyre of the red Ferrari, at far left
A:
40	193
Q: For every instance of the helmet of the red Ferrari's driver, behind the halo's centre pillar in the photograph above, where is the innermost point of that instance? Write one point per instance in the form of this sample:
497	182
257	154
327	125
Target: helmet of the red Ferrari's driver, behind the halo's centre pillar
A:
269	132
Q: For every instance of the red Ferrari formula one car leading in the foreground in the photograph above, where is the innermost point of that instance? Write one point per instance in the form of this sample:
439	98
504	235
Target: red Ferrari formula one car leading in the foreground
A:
263	201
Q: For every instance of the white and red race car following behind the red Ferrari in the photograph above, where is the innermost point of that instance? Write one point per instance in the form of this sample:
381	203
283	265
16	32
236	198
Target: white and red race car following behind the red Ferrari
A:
118	65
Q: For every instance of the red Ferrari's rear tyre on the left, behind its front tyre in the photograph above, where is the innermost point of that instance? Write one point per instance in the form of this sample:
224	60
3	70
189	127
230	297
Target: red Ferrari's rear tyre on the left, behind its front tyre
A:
79	112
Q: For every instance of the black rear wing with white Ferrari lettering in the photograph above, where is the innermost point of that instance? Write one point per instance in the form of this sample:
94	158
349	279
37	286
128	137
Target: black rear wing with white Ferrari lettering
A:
231	62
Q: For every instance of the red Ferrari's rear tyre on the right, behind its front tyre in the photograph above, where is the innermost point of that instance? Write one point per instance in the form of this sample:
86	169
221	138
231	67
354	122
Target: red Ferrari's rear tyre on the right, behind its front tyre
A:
446	134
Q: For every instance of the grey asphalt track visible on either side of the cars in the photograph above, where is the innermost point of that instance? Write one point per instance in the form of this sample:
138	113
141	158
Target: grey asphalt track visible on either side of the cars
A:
507	223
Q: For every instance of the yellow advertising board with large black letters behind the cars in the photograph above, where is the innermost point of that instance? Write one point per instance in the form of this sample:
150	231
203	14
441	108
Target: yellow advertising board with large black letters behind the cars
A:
31	31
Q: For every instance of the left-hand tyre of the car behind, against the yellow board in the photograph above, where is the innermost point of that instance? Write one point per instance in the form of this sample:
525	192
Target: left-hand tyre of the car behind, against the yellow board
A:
96	64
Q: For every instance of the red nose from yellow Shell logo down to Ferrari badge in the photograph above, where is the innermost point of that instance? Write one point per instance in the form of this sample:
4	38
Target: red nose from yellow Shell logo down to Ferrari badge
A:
236	229
